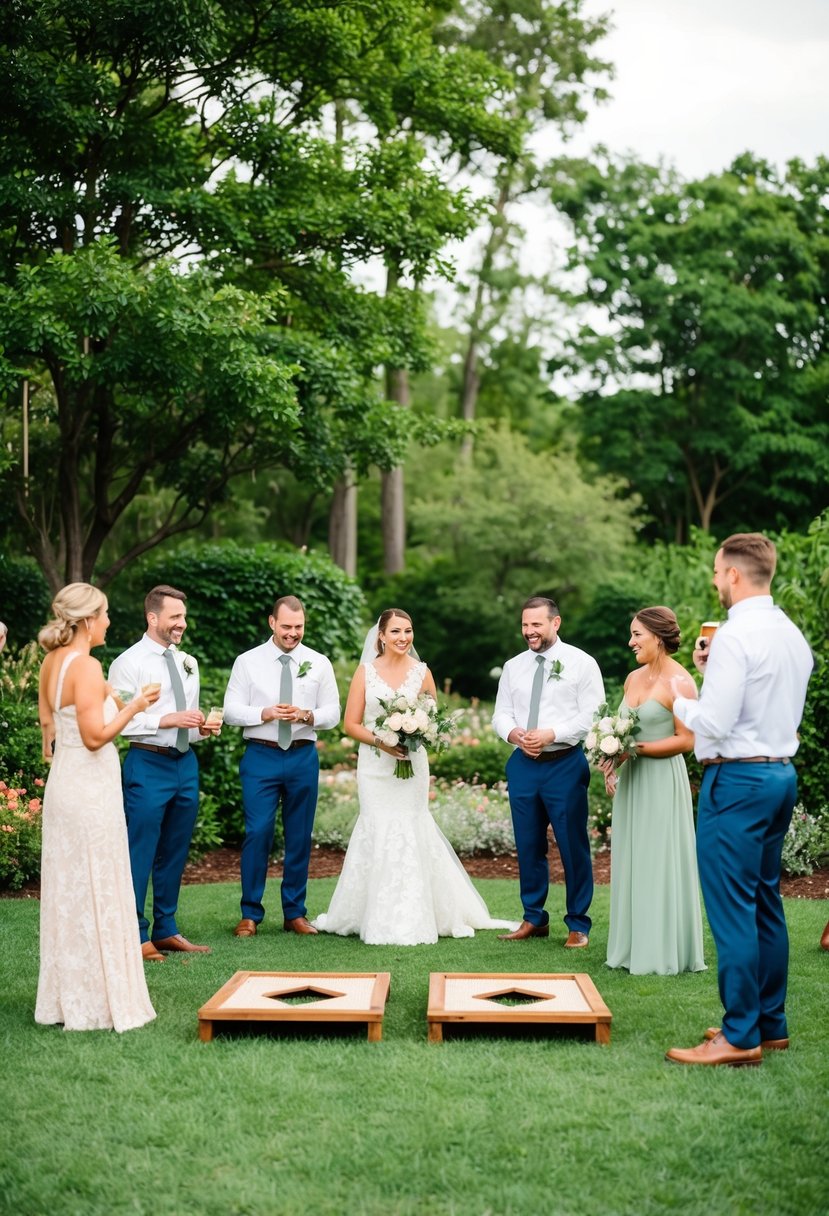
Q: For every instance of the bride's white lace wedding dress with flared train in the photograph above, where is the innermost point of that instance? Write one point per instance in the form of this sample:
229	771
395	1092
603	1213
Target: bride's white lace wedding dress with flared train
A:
402	882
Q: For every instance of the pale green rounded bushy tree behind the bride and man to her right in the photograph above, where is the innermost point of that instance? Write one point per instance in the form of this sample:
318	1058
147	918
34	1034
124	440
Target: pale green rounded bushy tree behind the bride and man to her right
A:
482	554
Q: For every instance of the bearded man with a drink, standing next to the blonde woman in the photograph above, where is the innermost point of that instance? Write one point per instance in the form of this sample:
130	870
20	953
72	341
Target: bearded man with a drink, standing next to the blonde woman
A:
161	774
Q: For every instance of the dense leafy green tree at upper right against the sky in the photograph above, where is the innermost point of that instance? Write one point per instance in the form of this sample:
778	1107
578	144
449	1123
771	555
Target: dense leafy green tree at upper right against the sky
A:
709	387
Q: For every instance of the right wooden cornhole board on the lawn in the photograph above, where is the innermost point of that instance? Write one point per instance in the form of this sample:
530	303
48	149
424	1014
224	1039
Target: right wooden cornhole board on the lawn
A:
475	998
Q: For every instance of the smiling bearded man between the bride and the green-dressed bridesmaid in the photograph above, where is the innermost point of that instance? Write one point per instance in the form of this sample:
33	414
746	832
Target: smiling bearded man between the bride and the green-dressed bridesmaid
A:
545	707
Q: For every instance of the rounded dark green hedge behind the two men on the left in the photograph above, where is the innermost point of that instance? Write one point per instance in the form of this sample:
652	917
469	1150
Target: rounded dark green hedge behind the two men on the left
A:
232	594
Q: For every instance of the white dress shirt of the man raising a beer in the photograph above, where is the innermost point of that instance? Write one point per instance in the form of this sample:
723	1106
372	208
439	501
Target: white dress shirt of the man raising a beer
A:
754	689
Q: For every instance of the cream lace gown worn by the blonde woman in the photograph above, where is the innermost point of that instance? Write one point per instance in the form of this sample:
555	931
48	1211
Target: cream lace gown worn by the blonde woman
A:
92	971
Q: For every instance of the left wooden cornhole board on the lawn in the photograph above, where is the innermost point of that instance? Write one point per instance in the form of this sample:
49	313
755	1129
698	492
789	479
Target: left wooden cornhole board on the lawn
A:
307	998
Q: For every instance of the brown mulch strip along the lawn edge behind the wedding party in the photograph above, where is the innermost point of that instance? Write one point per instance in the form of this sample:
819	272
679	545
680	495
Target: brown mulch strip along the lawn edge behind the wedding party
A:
223	866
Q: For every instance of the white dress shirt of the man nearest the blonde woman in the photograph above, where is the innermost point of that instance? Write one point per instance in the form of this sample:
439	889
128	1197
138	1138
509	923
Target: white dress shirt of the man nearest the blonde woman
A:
145	663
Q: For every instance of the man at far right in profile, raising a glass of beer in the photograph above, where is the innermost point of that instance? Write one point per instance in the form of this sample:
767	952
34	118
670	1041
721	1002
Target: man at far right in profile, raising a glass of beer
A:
746	723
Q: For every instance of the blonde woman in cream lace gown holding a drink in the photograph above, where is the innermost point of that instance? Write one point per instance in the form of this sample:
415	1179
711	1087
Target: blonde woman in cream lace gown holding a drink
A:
92	971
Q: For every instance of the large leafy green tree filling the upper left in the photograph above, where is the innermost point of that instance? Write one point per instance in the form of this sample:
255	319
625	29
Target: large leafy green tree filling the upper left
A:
131	134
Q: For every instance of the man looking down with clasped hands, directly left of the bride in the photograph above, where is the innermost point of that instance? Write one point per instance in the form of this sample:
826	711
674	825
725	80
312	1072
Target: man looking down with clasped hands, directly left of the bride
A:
281	693
